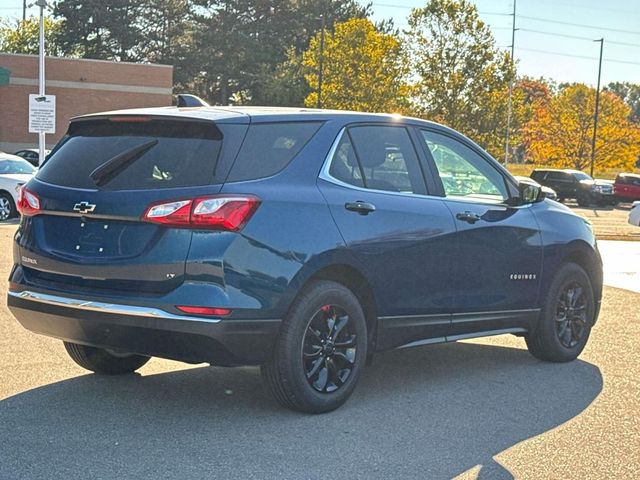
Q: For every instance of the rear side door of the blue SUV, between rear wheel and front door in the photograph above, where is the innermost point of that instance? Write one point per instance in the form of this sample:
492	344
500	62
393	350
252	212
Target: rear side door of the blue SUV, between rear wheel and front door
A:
402	238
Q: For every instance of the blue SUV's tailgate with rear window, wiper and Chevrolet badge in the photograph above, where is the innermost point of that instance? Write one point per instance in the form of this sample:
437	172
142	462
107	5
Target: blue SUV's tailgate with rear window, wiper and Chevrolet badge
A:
89	235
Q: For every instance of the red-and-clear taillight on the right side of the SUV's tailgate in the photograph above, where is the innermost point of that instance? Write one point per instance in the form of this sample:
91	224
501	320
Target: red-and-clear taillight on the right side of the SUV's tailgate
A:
219	213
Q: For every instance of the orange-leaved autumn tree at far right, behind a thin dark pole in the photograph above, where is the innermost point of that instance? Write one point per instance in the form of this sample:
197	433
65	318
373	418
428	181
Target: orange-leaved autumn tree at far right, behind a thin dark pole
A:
560	132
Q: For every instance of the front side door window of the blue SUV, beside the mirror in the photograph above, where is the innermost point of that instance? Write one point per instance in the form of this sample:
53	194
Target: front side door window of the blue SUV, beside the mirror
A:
464	173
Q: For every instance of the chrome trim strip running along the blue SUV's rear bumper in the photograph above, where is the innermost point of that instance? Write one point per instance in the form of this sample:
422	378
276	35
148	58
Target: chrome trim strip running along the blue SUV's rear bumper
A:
118	309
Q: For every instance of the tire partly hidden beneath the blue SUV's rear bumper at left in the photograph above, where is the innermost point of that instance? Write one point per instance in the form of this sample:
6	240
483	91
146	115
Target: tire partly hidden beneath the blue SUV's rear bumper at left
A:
101	361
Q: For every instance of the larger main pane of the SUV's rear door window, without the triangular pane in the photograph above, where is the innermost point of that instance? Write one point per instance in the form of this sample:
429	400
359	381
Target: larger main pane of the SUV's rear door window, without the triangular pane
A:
387	159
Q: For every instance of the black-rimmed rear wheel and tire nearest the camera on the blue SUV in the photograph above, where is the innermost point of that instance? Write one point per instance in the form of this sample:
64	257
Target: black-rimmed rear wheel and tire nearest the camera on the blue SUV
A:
313	369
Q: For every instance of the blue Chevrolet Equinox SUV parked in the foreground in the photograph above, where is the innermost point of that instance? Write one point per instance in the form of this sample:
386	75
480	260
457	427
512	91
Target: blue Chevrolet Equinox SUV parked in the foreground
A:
299	240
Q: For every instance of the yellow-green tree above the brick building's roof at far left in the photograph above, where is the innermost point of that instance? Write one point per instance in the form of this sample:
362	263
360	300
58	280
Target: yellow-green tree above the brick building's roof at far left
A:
23	36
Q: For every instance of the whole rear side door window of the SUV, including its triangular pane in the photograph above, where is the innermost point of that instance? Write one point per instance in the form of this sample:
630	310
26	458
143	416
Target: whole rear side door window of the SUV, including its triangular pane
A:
379	158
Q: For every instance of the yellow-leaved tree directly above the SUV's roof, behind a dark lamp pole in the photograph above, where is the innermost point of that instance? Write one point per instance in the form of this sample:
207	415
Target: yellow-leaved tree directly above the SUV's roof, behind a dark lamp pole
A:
363	69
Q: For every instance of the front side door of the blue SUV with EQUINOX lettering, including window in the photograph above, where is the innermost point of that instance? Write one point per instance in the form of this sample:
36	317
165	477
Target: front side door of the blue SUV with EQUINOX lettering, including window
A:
498	247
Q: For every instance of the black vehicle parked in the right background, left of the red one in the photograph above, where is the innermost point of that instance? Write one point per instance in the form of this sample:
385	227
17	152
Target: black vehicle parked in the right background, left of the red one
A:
576	185
